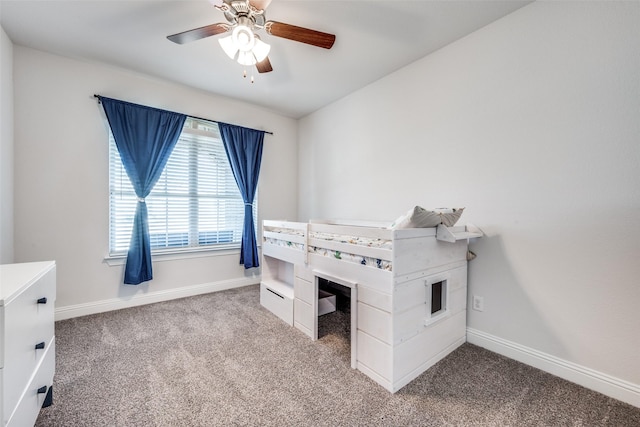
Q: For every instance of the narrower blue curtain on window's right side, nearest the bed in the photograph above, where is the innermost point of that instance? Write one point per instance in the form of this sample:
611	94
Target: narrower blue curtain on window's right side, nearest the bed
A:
244	150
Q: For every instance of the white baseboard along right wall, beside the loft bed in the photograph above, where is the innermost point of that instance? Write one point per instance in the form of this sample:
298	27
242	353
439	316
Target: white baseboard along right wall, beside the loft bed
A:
586	377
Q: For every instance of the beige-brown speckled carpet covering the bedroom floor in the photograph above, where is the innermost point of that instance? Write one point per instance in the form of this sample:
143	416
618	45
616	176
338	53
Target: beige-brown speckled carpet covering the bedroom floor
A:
221	359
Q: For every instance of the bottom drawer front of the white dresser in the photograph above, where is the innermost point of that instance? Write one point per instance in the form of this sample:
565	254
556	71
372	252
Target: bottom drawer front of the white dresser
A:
28	409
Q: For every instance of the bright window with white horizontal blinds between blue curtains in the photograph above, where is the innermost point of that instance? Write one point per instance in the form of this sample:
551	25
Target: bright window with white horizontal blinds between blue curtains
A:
194	205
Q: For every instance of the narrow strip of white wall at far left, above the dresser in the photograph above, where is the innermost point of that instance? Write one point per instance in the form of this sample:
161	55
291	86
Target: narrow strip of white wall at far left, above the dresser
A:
6	148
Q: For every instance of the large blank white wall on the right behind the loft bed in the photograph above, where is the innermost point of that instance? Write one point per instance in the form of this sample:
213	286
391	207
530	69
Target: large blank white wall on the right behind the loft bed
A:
533	124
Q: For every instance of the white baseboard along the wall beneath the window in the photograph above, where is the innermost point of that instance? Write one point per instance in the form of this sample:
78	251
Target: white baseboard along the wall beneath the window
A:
78	310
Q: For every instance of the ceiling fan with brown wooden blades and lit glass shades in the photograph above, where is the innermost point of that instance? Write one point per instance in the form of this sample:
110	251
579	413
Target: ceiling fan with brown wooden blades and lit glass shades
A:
244	17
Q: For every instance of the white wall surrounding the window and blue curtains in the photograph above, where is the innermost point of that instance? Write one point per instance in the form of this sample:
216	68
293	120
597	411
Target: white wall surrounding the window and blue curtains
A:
61	176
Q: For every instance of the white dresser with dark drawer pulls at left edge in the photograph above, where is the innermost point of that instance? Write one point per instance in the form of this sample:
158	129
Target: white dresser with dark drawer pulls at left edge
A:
27	341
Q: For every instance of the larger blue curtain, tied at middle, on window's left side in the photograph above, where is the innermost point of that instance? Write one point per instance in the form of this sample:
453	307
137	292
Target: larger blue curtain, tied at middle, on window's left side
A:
145	137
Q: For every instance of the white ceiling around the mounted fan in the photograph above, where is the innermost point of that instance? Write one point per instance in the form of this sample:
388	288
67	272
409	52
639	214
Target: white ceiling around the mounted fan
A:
373	38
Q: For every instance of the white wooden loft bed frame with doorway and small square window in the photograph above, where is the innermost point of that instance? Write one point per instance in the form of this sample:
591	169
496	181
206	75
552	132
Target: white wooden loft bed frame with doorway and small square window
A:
394	334
